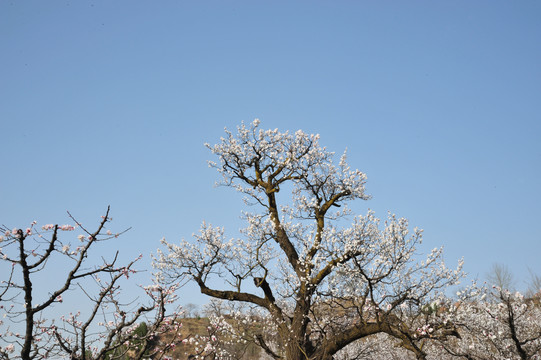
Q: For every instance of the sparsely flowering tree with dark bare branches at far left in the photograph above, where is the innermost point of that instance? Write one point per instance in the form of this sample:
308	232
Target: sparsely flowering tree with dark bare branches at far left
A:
105	328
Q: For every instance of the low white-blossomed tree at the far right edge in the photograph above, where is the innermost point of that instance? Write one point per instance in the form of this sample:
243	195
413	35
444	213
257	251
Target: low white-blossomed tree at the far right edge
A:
495	324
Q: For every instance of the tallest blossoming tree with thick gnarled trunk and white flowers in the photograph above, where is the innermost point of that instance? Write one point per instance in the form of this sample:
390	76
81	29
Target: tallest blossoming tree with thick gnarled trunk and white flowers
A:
322	284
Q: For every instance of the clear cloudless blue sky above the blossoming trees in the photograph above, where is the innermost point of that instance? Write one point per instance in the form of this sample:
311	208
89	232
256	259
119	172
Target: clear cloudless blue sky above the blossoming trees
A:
439	102
